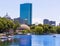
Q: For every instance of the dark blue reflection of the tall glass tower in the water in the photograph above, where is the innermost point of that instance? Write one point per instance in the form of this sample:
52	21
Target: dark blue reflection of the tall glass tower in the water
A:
25	40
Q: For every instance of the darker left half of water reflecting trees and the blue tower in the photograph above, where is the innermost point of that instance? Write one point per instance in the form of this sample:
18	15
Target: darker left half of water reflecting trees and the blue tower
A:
24	40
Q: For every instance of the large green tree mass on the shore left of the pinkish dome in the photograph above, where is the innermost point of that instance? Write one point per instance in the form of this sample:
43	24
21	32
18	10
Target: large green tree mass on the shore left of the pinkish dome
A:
7	24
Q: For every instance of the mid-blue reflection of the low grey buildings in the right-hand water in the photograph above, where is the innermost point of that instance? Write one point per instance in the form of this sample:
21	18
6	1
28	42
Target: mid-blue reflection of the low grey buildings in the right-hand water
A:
49	41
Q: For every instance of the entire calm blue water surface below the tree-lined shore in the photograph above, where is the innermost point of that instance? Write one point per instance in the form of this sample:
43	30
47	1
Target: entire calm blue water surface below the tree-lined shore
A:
32	40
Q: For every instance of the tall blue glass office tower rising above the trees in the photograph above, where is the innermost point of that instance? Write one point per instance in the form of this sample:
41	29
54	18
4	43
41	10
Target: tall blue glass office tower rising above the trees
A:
26	13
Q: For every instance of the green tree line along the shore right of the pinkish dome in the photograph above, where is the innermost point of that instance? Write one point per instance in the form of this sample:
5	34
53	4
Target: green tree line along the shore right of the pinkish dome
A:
45	29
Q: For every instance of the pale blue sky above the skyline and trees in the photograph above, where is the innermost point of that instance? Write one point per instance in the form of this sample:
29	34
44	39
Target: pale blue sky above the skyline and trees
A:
41	9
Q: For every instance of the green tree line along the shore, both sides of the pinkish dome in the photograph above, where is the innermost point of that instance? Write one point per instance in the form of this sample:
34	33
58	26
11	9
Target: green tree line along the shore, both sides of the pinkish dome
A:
7	24
